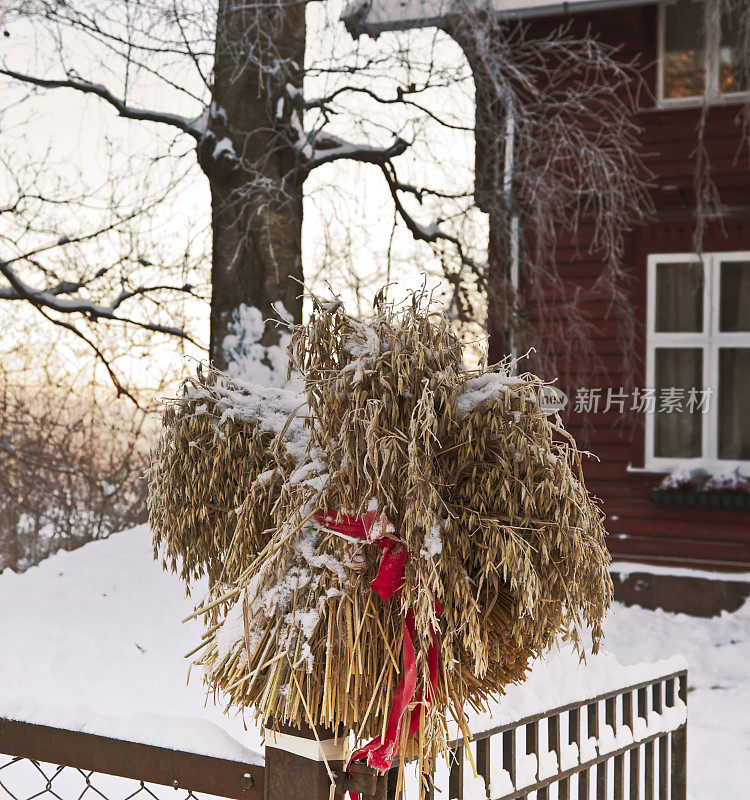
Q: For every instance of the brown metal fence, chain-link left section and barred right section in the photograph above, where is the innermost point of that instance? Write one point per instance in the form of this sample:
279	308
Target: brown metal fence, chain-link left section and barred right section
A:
625	745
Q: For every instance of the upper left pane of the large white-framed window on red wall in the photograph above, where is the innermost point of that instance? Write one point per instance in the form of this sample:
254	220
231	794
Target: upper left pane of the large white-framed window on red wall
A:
679	297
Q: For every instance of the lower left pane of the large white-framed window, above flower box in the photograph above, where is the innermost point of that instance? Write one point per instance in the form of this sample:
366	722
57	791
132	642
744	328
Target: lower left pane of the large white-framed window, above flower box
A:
678	434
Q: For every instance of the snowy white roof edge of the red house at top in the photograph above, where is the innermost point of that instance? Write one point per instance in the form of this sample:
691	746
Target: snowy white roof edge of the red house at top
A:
375	16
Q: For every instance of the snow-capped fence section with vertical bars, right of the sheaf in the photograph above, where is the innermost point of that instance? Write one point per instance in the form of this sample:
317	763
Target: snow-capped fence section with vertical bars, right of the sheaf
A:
625	745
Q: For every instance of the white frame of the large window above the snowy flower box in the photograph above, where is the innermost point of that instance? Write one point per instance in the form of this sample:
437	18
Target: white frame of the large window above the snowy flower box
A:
710	340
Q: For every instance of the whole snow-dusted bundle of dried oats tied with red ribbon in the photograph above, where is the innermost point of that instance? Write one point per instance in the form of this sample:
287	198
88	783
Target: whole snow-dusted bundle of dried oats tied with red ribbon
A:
386	548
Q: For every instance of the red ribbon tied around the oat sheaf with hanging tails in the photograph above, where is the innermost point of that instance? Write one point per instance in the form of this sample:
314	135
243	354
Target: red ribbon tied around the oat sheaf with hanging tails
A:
380	752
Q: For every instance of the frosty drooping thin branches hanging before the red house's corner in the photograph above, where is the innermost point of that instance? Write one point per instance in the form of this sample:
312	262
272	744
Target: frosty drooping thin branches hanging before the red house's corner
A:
568	167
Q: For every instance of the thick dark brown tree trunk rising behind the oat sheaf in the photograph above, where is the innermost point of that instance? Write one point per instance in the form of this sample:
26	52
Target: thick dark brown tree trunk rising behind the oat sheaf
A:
256	183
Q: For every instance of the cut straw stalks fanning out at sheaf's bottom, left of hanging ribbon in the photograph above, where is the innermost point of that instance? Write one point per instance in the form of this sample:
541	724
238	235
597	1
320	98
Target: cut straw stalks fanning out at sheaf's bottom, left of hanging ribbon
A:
305	632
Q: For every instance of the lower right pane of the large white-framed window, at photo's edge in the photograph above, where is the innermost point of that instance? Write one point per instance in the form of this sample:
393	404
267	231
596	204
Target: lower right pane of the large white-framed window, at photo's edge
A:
734	401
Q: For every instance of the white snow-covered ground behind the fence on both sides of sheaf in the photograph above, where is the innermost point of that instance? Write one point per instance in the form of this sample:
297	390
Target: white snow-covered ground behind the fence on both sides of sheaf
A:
92	641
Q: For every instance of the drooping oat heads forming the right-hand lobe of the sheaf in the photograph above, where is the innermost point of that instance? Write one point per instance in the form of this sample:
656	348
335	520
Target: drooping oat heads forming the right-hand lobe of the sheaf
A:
527	535
